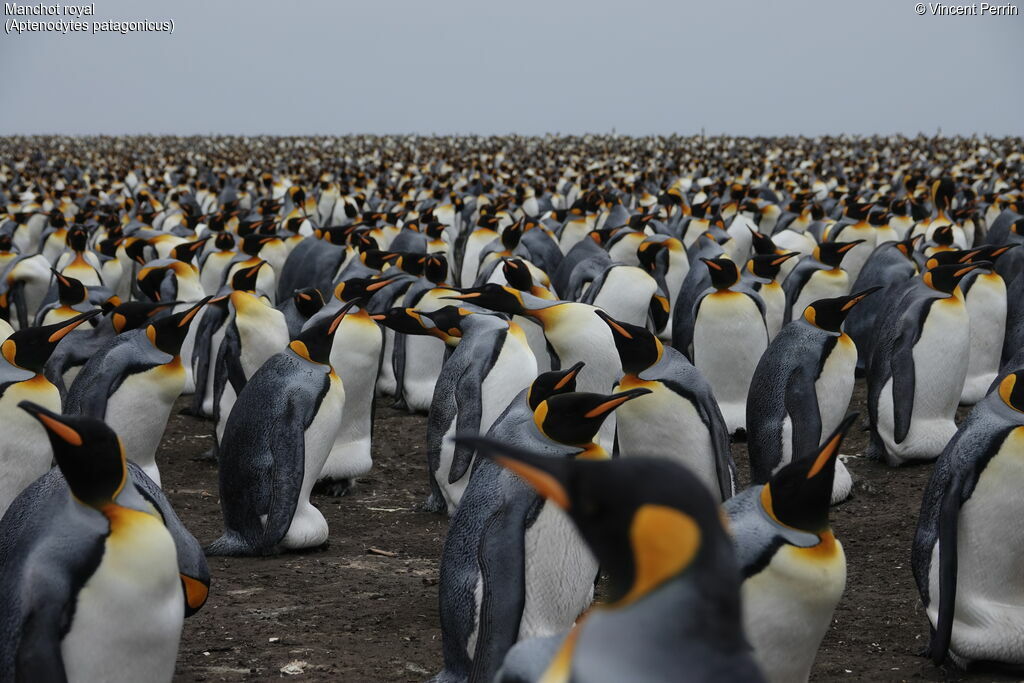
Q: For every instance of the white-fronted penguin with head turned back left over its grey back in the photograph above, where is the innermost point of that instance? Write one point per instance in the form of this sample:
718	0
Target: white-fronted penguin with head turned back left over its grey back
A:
492	363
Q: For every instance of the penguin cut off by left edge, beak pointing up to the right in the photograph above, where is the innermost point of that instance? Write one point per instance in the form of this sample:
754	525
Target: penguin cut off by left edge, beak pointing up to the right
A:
25	454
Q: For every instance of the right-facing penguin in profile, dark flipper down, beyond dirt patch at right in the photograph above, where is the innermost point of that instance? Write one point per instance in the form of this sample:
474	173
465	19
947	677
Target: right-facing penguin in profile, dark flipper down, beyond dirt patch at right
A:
917	370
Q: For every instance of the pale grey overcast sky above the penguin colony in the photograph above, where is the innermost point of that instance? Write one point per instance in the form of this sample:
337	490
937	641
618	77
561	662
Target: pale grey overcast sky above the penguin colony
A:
531	67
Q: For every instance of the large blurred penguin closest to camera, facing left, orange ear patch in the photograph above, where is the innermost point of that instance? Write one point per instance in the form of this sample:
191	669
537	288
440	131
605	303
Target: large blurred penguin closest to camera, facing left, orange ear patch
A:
672	601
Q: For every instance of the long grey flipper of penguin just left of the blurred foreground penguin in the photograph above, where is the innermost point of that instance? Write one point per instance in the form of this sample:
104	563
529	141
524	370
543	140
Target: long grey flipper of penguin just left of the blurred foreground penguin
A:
502	559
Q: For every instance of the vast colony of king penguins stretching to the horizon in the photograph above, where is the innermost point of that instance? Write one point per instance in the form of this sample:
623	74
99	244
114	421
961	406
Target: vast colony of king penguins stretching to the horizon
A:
588	323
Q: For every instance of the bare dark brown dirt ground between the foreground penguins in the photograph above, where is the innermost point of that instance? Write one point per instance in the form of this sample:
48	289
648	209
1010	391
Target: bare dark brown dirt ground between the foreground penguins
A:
366	608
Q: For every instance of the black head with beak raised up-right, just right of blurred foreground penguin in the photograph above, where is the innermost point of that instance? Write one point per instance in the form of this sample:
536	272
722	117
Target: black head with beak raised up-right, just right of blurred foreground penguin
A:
799	495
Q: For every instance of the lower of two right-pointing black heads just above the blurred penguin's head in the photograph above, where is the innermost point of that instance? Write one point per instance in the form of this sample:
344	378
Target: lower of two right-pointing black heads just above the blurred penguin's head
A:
574	419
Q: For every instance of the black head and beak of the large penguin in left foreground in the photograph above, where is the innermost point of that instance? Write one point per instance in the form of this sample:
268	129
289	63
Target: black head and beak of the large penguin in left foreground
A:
88	452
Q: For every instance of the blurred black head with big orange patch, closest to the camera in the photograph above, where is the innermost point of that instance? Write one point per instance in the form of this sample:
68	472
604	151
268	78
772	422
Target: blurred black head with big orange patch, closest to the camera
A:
648	521
